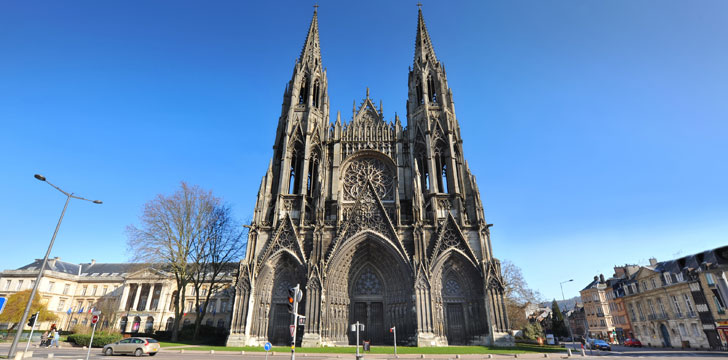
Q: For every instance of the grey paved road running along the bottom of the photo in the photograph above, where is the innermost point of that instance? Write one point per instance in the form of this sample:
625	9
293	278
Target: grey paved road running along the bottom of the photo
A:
168	354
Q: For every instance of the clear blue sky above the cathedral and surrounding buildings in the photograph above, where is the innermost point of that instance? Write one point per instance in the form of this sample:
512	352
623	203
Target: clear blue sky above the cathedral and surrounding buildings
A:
598	130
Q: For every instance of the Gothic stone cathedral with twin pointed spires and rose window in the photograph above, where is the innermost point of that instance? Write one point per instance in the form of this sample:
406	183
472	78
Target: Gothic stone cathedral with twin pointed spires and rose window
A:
378	222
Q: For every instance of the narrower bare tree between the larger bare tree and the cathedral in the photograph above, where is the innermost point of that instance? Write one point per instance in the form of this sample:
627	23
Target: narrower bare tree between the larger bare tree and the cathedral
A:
221	244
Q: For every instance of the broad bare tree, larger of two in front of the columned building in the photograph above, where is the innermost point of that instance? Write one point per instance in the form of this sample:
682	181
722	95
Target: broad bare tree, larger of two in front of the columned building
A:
171	227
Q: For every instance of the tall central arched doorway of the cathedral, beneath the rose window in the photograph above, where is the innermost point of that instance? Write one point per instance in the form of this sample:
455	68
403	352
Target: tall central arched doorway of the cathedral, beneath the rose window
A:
369	282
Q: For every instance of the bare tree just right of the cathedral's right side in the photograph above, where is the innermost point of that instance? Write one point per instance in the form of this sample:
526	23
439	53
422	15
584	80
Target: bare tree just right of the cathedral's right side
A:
517	294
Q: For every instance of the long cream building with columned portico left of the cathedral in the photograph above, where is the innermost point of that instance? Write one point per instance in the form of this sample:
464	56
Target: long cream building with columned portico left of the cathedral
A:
132	297
